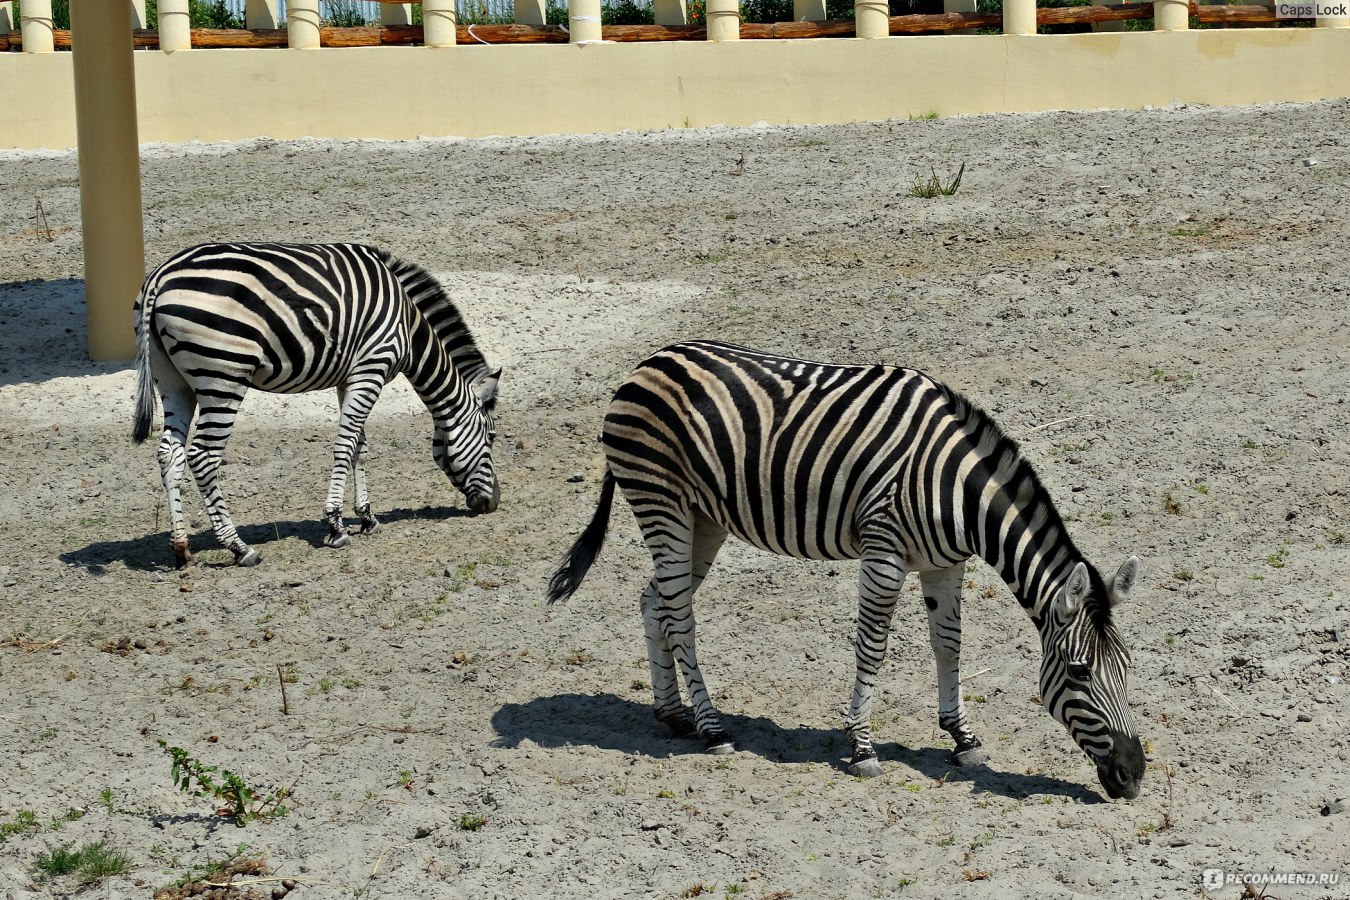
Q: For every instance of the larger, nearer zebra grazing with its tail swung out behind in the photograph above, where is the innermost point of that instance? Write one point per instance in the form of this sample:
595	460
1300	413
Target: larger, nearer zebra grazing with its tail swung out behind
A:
854	462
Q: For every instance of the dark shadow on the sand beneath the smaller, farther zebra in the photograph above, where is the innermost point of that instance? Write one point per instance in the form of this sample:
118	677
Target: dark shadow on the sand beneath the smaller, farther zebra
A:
151	553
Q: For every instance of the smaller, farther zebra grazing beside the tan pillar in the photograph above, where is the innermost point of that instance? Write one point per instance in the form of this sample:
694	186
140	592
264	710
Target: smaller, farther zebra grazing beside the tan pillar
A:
219	319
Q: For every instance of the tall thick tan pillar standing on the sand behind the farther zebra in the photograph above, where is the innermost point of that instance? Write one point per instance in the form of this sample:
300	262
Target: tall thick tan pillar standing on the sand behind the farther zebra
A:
110	175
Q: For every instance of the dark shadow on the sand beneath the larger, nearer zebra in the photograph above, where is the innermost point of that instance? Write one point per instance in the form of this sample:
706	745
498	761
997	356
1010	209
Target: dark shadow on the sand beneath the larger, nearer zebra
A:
612	723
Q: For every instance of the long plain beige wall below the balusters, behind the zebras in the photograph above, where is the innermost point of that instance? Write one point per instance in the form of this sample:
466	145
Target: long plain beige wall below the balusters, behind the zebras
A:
230	95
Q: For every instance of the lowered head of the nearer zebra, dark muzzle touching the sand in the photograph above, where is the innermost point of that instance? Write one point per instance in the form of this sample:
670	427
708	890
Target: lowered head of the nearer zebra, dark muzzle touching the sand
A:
1083	674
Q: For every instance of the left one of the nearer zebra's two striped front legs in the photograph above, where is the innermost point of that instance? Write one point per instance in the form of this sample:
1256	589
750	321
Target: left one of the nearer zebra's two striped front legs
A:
881	581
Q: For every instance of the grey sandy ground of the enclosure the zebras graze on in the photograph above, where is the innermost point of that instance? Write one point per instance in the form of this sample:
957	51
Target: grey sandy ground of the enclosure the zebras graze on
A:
1155	303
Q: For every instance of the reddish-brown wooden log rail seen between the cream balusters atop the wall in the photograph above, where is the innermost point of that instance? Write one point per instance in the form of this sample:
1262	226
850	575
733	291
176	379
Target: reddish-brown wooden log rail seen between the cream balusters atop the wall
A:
470	36
